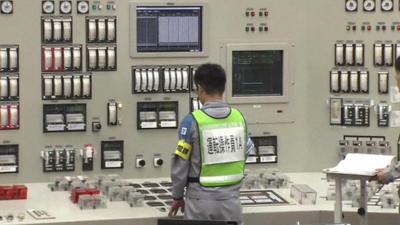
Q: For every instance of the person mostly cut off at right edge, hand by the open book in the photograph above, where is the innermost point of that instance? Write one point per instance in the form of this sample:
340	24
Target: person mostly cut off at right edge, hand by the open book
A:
387	175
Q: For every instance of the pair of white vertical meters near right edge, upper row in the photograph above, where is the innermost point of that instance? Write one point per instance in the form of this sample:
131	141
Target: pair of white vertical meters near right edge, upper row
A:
383	53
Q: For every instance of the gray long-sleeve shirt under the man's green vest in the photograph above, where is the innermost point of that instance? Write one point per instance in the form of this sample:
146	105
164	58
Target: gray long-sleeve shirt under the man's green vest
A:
181	169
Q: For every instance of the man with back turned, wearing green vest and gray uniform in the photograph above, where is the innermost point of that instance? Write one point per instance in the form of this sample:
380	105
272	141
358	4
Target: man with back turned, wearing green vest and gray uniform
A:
210	157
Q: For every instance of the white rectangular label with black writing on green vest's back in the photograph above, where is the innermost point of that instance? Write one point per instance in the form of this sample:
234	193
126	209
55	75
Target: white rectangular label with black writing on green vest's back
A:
223	145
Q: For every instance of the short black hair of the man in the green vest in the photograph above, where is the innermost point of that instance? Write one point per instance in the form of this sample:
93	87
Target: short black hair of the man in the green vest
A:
211	77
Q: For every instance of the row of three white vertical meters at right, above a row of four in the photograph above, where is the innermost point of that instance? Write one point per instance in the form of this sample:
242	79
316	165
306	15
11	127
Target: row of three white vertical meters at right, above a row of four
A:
349	54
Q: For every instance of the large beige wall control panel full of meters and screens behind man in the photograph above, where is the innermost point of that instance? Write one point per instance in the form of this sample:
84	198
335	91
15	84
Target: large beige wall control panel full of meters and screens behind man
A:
102	86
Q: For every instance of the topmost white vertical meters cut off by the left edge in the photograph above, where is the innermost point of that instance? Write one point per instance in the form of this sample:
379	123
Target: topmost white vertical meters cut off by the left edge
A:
9	58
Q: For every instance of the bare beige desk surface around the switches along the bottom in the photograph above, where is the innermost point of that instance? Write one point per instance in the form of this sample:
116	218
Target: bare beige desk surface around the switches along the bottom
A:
58	204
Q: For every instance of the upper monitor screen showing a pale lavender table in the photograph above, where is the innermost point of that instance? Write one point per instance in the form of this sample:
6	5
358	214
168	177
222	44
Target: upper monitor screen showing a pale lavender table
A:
169	29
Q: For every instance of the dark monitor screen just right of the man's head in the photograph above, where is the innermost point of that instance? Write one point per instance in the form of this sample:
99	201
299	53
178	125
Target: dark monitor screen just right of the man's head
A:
257	73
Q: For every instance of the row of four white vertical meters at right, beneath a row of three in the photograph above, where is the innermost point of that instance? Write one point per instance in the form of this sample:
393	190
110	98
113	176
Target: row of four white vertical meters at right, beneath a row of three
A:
349	81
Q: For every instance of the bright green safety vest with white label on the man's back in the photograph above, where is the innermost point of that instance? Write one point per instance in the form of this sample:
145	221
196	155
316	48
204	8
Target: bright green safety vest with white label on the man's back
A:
222	147
